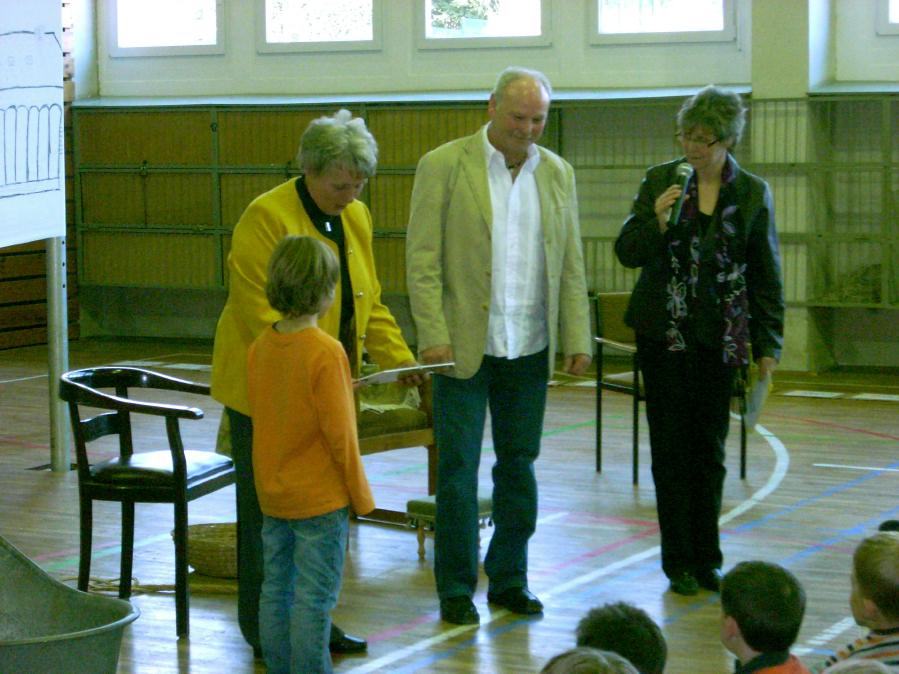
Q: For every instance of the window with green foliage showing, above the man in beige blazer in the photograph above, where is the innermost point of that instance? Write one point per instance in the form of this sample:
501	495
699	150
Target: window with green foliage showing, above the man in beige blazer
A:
483	23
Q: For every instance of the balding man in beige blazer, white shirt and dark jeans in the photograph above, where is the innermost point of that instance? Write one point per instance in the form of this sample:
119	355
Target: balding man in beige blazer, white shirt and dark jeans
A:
496	284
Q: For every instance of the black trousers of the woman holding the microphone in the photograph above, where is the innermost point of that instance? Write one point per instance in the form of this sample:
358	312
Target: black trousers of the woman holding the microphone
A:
688	397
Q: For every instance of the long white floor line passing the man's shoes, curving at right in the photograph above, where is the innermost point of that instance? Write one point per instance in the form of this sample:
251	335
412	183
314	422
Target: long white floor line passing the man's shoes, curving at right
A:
782	462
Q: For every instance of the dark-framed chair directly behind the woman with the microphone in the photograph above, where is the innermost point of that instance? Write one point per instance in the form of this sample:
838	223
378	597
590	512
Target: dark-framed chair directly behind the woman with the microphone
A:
612	332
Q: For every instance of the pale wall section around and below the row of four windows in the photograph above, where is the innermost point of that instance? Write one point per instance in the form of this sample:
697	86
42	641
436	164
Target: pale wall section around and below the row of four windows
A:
570	61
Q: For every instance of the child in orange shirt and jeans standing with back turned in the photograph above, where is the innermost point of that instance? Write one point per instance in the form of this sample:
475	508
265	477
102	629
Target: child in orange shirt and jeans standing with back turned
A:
306	461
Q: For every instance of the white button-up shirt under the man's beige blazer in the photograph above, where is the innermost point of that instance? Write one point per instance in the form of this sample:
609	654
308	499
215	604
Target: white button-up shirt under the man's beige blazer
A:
517	322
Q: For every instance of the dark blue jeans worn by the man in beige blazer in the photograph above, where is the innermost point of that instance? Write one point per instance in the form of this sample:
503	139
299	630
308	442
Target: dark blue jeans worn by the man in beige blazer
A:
515	391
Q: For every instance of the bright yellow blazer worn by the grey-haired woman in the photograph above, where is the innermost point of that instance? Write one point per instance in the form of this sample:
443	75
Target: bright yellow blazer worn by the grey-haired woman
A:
268	219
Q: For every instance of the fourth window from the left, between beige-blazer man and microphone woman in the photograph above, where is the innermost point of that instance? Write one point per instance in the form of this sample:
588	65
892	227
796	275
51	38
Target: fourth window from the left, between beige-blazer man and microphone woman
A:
634	21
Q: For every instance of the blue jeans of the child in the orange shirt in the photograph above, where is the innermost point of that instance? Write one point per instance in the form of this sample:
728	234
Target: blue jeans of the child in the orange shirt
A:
303	569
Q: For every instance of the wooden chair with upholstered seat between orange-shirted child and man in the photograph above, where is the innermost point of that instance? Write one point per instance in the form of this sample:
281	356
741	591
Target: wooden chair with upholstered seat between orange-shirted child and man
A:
398	429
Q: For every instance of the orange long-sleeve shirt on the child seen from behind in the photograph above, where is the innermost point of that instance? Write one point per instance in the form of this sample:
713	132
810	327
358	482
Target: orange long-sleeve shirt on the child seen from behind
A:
306	458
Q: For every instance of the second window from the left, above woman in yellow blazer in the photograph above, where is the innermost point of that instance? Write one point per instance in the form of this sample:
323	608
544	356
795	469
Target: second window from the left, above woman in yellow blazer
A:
317	25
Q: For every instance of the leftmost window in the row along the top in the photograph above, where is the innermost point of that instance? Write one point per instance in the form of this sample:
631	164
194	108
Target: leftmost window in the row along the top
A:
165	27
